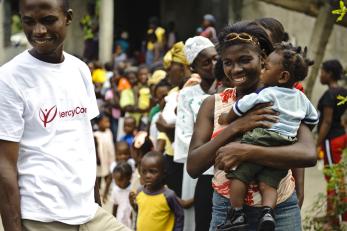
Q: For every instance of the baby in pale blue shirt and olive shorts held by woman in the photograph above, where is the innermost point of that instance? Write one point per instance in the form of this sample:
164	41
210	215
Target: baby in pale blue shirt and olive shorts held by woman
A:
285	66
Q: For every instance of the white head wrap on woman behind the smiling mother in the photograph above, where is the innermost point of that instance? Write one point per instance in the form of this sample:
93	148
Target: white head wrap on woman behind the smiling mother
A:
194	46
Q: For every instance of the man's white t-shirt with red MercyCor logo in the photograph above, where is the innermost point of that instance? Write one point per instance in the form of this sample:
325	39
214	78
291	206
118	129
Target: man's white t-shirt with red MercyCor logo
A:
47	108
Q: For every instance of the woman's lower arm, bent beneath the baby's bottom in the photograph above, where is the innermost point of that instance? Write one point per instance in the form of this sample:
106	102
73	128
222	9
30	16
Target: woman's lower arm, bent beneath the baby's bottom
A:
299	155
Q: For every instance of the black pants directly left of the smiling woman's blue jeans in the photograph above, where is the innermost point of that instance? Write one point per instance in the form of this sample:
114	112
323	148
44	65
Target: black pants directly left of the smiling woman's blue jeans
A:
203	203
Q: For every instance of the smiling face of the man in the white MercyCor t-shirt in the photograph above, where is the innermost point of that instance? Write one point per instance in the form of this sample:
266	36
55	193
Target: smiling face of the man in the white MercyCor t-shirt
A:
44	24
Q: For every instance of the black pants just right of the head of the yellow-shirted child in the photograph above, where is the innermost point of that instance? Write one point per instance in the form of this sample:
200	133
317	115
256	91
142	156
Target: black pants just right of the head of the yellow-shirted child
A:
174	175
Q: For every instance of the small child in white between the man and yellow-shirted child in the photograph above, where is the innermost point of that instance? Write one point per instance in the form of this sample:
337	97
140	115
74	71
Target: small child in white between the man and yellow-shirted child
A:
121	206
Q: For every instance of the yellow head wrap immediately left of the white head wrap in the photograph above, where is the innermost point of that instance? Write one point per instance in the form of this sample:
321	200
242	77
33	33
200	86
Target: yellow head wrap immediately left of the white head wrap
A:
175	54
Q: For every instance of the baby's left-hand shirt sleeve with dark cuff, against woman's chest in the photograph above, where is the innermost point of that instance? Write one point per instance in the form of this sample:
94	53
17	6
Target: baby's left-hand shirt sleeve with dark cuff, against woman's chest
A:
248	102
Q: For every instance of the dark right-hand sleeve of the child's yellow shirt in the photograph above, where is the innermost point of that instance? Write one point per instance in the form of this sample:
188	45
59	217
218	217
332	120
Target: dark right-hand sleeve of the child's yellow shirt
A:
176	208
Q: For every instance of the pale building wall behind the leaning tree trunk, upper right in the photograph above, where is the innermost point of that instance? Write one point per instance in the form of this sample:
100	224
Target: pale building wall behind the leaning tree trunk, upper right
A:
300	26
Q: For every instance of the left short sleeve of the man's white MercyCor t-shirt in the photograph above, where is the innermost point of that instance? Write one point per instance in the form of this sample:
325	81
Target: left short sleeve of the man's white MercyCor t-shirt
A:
11	113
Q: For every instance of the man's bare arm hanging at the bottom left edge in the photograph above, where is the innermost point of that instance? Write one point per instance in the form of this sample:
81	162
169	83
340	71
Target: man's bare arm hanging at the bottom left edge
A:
9	193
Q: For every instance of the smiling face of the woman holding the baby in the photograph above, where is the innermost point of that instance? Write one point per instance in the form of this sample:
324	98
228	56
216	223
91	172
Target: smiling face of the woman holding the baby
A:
242	65
